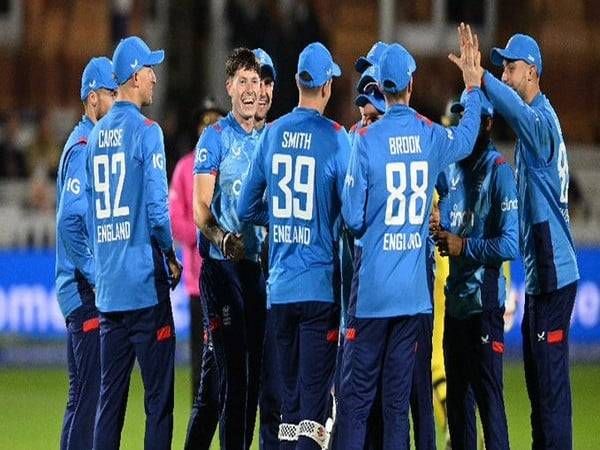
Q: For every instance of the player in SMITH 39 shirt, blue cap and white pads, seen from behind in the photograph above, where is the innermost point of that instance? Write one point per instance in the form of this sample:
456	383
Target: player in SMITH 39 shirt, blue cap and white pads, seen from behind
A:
301	164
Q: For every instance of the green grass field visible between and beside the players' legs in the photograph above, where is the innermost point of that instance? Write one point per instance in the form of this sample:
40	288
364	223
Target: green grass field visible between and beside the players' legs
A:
32	402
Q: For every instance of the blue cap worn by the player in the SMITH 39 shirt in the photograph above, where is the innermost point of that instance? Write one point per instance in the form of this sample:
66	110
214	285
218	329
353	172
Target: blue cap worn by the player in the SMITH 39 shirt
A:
316	66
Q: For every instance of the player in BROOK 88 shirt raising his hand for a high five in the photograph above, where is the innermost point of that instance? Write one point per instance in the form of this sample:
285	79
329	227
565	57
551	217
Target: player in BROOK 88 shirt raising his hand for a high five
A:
392	164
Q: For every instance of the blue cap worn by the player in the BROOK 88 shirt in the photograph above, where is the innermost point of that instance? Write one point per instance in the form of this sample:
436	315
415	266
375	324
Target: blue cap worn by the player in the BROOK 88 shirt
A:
396	67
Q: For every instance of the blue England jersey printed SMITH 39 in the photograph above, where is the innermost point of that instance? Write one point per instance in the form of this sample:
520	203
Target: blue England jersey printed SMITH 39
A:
301	161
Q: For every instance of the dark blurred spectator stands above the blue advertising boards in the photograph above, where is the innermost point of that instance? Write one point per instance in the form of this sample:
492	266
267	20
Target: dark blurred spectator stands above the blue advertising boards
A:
44	45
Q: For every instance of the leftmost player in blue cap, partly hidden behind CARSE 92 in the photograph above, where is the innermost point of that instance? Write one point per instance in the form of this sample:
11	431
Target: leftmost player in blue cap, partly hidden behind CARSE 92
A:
75	271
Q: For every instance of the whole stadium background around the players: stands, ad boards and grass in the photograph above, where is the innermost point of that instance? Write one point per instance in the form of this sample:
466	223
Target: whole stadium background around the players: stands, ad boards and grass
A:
44	45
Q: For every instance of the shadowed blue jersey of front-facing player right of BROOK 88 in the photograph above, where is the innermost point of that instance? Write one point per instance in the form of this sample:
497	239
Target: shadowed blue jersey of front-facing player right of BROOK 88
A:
478	201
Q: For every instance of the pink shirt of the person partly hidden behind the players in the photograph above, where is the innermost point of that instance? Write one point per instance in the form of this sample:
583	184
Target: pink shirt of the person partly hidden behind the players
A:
182	220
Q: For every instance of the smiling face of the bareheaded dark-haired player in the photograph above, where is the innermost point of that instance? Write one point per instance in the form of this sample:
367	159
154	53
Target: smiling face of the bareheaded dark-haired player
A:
244	90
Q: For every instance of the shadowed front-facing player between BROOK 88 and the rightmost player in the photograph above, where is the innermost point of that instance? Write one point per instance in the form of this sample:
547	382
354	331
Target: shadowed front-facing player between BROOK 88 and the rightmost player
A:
479	231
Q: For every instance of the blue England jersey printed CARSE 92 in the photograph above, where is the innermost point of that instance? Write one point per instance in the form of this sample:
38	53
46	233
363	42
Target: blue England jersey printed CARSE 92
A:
127	186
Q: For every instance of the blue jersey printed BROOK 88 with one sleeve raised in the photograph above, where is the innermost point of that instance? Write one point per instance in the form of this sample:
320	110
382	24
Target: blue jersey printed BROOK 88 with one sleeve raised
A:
387	202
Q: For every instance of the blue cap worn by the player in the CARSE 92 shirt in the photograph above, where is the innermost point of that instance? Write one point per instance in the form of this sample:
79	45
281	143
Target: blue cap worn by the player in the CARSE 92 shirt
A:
131	55
